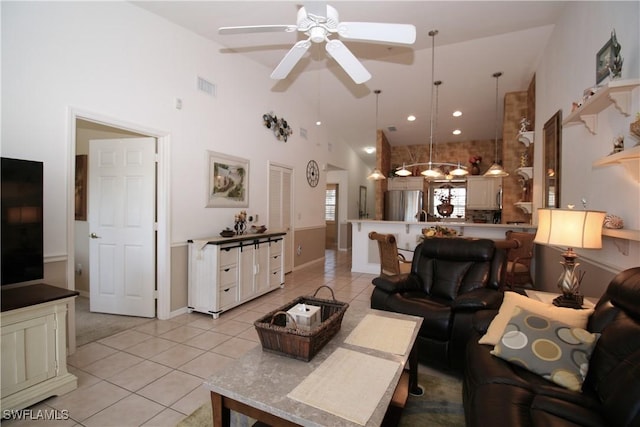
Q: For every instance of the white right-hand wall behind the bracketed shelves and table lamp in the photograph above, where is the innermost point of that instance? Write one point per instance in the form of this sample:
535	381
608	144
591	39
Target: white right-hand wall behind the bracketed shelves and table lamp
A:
566	69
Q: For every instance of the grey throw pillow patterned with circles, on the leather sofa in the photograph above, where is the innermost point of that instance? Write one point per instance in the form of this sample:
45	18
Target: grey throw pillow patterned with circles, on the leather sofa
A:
552	349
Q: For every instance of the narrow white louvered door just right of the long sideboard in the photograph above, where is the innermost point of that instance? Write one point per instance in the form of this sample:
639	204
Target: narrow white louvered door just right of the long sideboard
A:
280	208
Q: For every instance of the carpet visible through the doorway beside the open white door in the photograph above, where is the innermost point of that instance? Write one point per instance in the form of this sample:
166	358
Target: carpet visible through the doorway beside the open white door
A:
94	326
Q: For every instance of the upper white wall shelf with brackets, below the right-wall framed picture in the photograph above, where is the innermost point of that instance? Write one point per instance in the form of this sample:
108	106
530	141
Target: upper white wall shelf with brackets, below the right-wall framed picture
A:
617	92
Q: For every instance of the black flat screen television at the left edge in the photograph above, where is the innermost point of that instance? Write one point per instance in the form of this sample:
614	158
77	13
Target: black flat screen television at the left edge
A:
22	228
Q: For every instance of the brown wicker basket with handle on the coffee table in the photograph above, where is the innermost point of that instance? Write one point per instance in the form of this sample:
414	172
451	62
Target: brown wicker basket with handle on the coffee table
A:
297	343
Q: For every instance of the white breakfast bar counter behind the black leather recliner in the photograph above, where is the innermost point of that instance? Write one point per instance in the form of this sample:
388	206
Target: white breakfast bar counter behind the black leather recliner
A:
366	259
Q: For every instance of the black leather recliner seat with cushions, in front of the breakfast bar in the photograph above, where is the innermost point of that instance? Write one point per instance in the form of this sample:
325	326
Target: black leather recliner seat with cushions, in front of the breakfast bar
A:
450	280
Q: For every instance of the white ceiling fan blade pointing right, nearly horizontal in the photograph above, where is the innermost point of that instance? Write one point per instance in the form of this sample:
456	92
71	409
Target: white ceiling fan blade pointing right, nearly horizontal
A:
381	32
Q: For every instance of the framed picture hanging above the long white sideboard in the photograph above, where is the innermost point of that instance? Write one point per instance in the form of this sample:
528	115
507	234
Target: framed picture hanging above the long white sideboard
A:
228	181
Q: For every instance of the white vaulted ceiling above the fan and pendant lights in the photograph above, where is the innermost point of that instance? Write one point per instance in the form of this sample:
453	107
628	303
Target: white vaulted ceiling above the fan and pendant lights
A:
475	39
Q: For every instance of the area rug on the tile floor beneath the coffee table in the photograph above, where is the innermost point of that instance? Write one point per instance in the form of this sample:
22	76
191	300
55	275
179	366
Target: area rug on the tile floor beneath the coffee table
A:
439	406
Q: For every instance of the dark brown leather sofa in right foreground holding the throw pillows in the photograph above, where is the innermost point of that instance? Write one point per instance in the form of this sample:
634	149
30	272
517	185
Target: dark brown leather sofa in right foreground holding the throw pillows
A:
496	392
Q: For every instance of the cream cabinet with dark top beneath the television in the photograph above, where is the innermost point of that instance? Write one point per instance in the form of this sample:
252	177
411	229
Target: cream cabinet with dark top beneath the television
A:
34	352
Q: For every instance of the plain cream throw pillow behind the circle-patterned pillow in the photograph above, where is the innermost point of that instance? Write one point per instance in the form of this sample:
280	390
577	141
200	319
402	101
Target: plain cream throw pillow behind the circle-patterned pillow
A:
569	316
